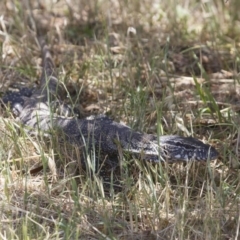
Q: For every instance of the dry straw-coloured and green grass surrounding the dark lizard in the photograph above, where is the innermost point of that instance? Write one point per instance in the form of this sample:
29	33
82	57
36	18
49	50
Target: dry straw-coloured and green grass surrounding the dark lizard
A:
166	67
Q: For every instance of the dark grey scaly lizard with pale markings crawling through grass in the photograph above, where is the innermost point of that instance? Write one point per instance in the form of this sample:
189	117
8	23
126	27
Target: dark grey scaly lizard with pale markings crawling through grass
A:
100	133
